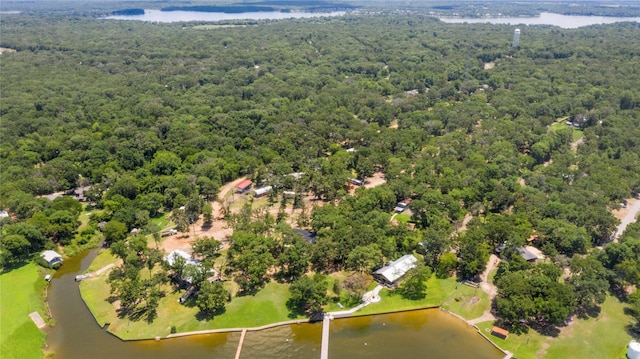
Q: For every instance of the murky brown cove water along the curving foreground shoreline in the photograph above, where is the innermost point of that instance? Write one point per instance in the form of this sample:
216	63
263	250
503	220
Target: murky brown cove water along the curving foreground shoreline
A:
417	334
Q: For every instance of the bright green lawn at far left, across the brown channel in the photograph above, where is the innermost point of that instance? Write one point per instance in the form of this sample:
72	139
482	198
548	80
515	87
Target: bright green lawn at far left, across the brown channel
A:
20	294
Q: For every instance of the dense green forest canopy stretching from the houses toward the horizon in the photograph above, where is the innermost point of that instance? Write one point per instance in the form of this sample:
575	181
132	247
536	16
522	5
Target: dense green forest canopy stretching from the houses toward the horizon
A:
155	117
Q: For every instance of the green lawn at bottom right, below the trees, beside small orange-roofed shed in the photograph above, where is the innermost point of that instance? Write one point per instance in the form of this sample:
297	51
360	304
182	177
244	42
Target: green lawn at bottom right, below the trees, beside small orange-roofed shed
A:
601	337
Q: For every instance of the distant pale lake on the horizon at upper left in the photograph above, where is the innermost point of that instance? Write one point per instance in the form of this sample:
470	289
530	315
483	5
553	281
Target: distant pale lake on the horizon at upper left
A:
176	16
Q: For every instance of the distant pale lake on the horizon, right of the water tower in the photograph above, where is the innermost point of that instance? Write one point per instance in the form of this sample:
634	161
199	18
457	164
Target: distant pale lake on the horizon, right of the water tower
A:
545	18
